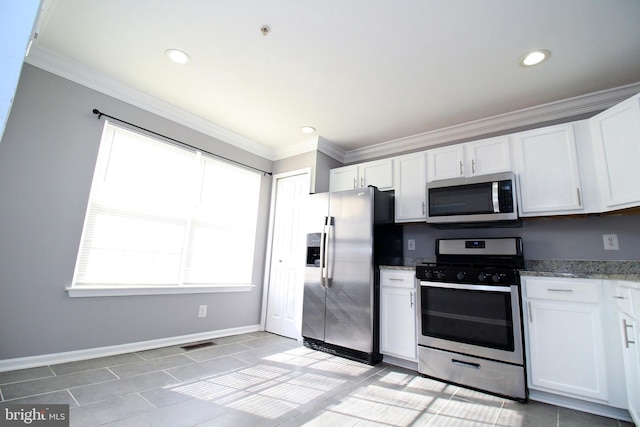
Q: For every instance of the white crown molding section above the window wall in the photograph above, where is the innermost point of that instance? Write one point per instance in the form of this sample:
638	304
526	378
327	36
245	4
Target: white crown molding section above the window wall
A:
66	68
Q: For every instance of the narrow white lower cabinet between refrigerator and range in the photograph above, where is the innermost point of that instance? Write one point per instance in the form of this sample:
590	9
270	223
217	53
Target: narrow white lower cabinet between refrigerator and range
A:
398	314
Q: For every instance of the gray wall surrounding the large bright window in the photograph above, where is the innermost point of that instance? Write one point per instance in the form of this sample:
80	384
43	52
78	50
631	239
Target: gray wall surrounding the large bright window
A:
47	156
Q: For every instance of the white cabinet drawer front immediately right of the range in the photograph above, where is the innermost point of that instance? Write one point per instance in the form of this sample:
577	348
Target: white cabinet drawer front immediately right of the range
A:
573	290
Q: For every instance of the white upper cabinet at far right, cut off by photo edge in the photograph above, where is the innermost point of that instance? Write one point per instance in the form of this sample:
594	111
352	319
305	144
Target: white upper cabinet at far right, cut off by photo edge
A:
616	138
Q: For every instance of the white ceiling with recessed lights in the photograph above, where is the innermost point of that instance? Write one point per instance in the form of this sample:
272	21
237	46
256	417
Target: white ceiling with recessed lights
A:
362	72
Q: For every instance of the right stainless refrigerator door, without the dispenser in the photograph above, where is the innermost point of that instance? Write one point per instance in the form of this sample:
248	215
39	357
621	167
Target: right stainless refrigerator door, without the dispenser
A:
350	289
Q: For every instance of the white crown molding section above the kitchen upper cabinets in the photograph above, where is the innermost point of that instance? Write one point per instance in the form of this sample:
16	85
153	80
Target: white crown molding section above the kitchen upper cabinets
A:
564	109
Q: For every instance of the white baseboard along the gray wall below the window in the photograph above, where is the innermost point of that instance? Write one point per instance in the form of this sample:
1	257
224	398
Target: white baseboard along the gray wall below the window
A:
92	353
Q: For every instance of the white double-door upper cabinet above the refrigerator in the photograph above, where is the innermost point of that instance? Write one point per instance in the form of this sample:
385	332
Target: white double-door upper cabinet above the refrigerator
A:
378	173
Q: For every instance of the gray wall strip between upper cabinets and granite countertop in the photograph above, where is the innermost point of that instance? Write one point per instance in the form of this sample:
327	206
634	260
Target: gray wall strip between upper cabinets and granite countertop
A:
572	238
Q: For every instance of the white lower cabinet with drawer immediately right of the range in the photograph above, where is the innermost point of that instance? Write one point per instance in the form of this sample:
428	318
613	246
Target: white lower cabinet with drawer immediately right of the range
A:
564	337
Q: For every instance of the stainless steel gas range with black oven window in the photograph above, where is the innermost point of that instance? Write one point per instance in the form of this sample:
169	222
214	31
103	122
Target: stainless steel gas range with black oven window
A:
469	315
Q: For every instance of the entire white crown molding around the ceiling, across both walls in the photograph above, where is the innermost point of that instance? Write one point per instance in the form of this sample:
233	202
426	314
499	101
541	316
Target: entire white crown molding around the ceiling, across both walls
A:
564	109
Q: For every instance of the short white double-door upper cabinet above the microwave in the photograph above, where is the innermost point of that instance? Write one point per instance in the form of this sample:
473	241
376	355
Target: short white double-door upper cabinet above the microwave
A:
482	157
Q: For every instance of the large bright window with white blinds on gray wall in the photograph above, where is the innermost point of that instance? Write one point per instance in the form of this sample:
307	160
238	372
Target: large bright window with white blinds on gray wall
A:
165	219
